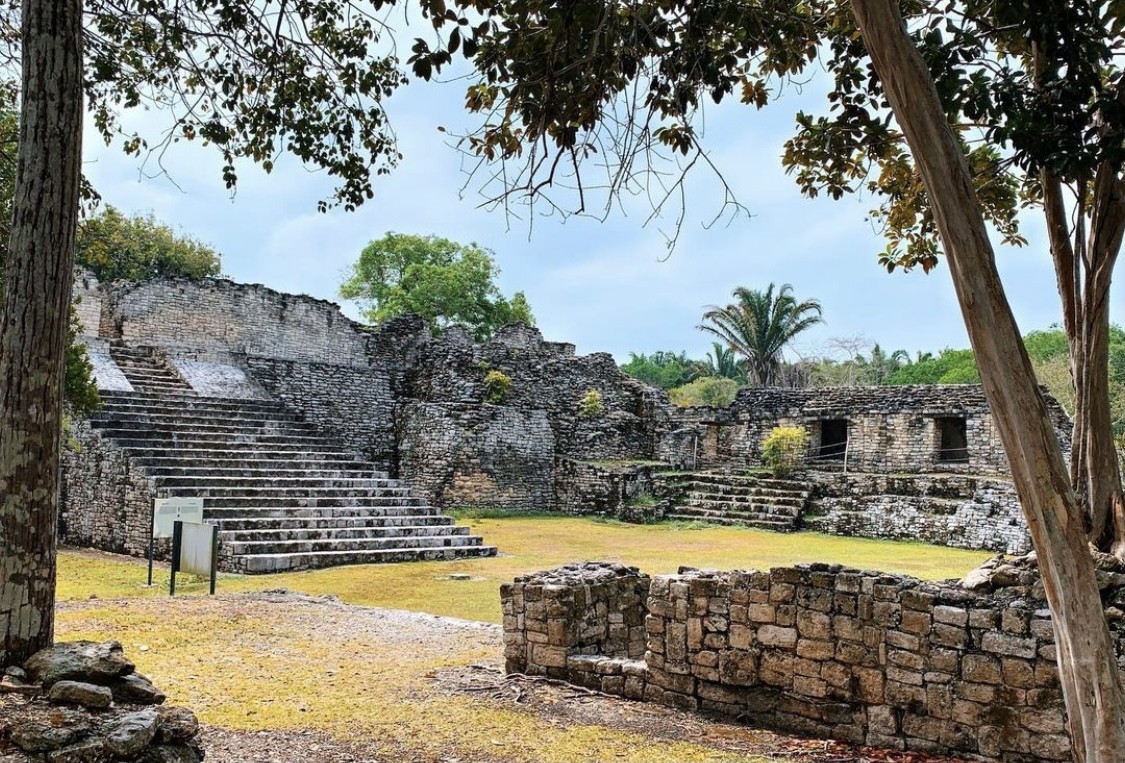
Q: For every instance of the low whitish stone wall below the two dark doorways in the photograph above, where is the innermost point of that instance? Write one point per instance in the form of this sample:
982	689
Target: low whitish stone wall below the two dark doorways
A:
950	510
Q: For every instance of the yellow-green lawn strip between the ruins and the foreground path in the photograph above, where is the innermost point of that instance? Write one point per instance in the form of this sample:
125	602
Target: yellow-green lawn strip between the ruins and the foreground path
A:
529	544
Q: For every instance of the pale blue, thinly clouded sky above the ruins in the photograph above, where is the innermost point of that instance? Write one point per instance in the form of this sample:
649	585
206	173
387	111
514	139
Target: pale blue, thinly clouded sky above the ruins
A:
607	286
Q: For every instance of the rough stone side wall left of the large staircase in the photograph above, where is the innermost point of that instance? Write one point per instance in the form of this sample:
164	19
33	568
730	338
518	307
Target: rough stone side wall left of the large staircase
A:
106	500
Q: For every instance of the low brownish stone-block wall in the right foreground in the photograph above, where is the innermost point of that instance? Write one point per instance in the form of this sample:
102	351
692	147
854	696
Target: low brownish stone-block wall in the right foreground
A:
816	650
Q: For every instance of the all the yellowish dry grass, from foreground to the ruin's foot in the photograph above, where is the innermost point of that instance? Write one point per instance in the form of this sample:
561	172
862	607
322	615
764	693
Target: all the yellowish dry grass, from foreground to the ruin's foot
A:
260	663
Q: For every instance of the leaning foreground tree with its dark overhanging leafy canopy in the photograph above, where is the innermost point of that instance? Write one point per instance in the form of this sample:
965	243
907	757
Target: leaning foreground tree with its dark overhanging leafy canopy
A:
563	84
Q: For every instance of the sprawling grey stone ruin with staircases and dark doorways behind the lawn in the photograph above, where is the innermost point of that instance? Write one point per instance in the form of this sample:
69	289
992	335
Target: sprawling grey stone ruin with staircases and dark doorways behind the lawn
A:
344	444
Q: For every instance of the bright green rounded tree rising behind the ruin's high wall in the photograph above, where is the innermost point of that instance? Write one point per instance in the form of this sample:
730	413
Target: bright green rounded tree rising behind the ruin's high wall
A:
446	283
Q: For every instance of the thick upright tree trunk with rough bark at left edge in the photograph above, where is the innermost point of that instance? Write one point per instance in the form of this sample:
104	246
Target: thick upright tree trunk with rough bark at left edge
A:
33	335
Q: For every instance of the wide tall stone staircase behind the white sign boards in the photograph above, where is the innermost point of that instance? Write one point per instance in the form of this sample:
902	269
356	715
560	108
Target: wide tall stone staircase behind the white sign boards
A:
284	495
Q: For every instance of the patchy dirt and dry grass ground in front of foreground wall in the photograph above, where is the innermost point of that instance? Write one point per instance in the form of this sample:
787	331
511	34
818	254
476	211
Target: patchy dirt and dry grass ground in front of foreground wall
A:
325	634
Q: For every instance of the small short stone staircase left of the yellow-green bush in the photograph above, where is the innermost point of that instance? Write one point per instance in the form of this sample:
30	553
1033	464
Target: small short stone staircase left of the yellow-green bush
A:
741	500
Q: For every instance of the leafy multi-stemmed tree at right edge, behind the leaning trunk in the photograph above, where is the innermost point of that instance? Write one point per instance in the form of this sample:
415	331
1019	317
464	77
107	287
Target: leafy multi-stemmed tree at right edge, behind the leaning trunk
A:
1033	93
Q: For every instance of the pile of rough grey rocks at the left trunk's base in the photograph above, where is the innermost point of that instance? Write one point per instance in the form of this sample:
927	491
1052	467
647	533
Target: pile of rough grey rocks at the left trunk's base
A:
84	703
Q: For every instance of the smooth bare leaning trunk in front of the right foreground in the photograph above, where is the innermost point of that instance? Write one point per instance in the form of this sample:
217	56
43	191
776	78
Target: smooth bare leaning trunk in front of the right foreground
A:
1087	667
